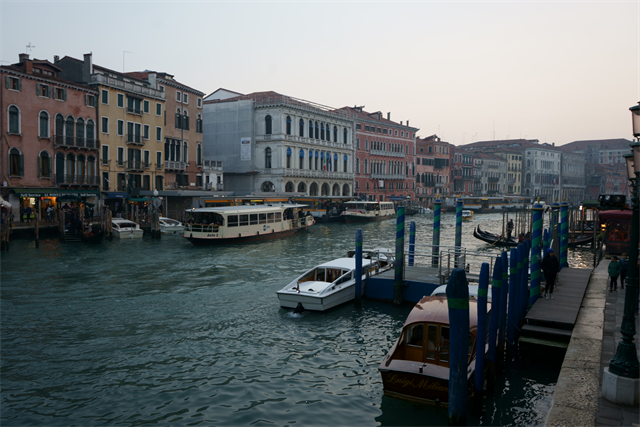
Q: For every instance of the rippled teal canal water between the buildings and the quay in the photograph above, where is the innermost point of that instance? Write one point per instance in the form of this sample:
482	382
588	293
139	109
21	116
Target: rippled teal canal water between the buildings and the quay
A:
147	332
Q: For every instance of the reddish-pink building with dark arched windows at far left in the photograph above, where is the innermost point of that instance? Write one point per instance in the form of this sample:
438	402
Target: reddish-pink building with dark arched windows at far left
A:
49	145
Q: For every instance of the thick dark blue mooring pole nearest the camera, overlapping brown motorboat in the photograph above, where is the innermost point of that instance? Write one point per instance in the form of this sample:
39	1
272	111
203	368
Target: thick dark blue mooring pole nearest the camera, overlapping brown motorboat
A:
458	303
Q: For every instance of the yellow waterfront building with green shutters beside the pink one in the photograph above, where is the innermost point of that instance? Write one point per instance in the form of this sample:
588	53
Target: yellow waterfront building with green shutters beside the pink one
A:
131	126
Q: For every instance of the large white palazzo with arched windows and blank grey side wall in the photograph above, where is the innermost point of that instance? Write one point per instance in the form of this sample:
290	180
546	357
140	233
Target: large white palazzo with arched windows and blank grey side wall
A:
270	142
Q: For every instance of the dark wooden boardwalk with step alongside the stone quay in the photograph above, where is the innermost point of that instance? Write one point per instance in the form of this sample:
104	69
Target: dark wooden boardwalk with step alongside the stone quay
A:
550	322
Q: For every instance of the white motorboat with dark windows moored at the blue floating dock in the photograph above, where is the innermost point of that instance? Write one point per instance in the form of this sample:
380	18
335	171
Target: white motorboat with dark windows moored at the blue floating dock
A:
327	285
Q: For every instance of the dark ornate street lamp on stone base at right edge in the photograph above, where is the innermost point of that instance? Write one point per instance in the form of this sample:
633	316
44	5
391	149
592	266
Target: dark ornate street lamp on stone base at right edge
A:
625	362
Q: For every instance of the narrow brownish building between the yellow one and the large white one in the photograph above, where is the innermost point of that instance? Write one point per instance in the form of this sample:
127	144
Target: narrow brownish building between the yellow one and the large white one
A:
183	161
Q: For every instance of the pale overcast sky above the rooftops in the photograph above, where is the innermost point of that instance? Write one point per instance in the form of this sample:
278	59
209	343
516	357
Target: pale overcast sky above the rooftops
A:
467	71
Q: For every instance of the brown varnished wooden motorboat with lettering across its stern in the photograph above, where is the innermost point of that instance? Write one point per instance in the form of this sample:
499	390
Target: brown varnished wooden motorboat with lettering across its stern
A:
417	366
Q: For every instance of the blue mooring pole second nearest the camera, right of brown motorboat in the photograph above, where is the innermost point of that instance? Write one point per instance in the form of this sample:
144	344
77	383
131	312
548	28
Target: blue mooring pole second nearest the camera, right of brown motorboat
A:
481	339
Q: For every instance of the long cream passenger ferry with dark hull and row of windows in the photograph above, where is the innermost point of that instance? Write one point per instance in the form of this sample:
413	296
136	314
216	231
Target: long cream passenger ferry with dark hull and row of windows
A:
234	224
